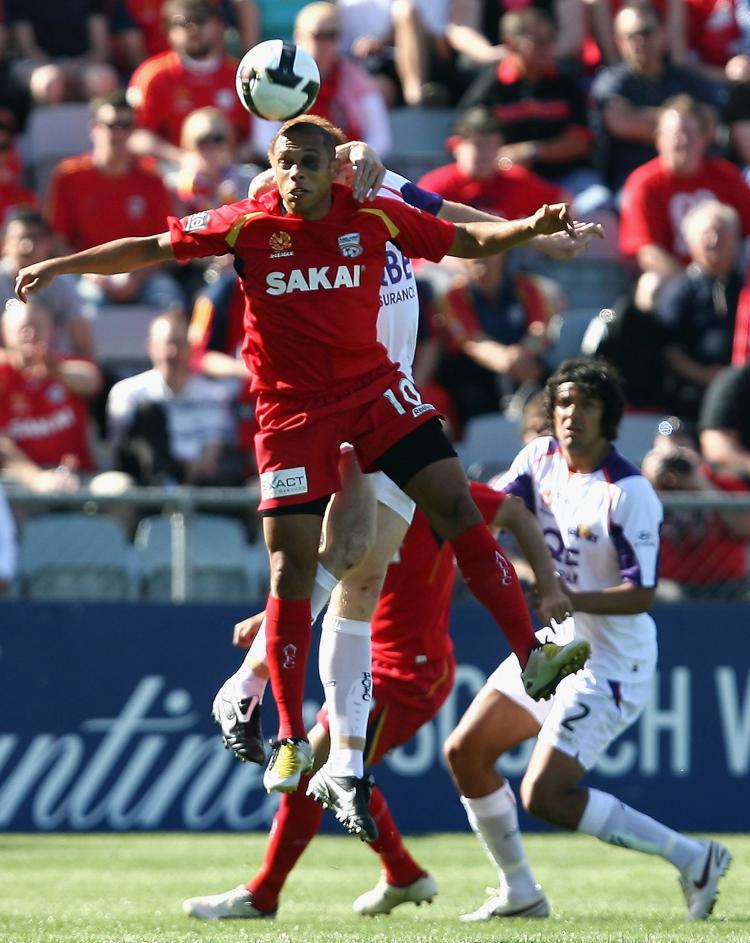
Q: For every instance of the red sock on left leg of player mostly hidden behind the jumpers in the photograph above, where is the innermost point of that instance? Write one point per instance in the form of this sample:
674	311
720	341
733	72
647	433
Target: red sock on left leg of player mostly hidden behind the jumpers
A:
295	824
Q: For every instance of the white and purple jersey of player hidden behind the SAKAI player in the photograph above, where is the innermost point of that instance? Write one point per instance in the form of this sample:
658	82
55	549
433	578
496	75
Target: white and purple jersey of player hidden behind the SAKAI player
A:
398	318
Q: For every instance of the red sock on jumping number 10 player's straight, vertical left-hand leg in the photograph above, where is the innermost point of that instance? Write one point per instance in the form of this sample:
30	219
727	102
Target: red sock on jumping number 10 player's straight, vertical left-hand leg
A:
288	635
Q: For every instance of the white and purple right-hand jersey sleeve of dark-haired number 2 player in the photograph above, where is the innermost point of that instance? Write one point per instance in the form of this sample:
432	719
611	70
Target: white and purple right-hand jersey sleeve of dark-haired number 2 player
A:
635	522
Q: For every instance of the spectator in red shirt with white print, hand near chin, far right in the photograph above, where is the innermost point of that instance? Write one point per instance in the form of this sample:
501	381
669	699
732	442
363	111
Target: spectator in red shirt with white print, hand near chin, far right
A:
658	195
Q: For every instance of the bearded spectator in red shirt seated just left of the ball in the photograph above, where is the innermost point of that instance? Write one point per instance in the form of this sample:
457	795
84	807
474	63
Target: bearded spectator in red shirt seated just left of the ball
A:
196	72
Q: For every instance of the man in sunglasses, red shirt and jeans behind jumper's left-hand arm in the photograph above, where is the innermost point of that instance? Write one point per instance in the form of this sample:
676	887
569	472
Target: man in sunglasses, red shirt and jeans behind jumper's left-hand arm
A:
106	194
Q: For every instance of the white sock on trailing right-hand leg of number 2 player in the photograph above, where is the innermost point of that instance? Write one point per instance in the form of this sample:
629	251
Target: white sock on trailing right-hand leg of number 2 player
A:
612	821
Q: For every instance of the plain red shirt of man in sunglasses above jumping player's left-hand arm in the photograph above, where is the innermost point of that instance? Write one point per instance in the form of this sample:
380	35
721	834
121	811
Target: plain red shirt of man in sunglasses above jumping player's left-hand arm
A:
89	207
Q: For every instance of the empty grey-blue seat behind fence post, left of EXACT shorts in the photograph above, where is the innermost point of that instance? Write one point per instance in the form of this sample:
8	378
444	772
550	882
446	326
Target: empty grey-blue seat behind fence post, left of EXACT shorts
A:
218	561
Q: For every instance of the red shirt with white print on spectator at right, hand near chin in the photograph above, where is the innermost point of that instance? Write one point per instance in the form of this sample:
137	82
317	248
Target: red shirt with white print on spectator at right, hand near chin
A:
656	201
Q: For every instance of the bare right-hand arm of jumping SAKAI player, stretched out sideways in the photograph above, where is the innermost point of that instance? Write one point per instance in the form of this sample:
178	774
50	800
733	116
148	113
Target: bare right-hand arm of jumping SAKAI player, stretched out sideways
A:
475	240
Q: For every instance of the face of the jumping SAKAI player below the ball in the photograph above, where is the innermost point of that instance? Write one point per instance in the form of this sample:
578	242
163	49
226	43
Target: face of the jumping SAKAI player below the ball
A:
304	172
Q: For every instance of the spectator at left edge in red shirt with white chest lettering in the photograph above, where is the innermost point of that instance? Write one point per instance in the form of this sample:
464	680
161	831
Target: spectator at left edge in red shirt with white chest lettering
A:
43	403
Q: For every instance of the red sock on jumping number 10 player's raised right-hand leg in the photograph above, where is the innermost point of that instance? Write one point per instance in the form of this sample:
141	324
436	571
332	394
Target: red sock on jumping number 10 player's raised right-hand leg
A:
491	578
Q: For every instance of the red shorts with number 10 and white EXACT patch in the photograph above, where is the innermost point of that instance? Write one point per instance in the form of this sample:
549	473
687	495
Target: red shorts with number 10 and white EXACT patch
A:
297	448
